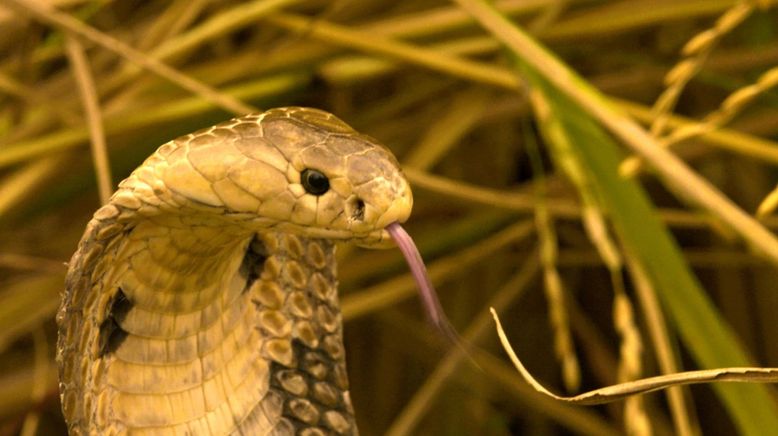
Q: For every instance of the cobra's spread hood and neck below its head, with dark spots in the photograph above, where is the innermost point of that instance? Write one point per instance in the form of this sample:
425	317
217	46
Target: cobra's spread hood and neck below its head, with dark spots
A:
211	330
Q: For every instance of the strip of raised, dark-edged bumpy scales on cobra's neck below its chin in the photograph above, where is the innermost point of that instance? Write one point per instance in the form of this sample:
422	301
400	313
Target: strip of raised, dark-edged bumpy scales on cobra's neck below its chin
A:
297	305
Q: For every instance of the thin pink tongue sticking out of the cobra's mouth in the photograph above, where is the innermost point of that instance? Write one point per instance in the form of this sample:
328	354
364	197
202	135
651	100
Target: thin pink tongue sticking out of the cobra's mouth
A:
429	297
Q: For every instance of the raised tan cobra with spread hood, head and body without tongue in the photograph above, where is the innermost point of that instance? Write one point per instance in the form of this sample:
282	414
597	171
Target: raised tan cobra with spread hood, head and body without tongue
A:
202	298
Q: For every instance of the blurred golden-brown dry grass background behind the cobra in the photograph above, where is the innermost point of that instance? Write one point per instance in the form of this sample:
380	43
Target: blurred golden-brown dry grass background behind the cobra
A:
499	196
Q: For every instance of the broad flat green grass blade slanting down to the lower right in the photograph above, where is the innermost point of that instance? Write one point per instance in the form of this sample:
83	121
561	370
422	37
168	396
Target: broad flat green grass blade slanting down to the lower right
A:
704	332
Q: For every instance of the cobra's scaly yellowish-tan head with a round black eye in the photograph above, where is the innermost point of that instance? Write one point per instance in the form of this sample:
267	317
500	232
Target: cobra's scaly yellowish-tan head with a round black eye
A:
295	169
